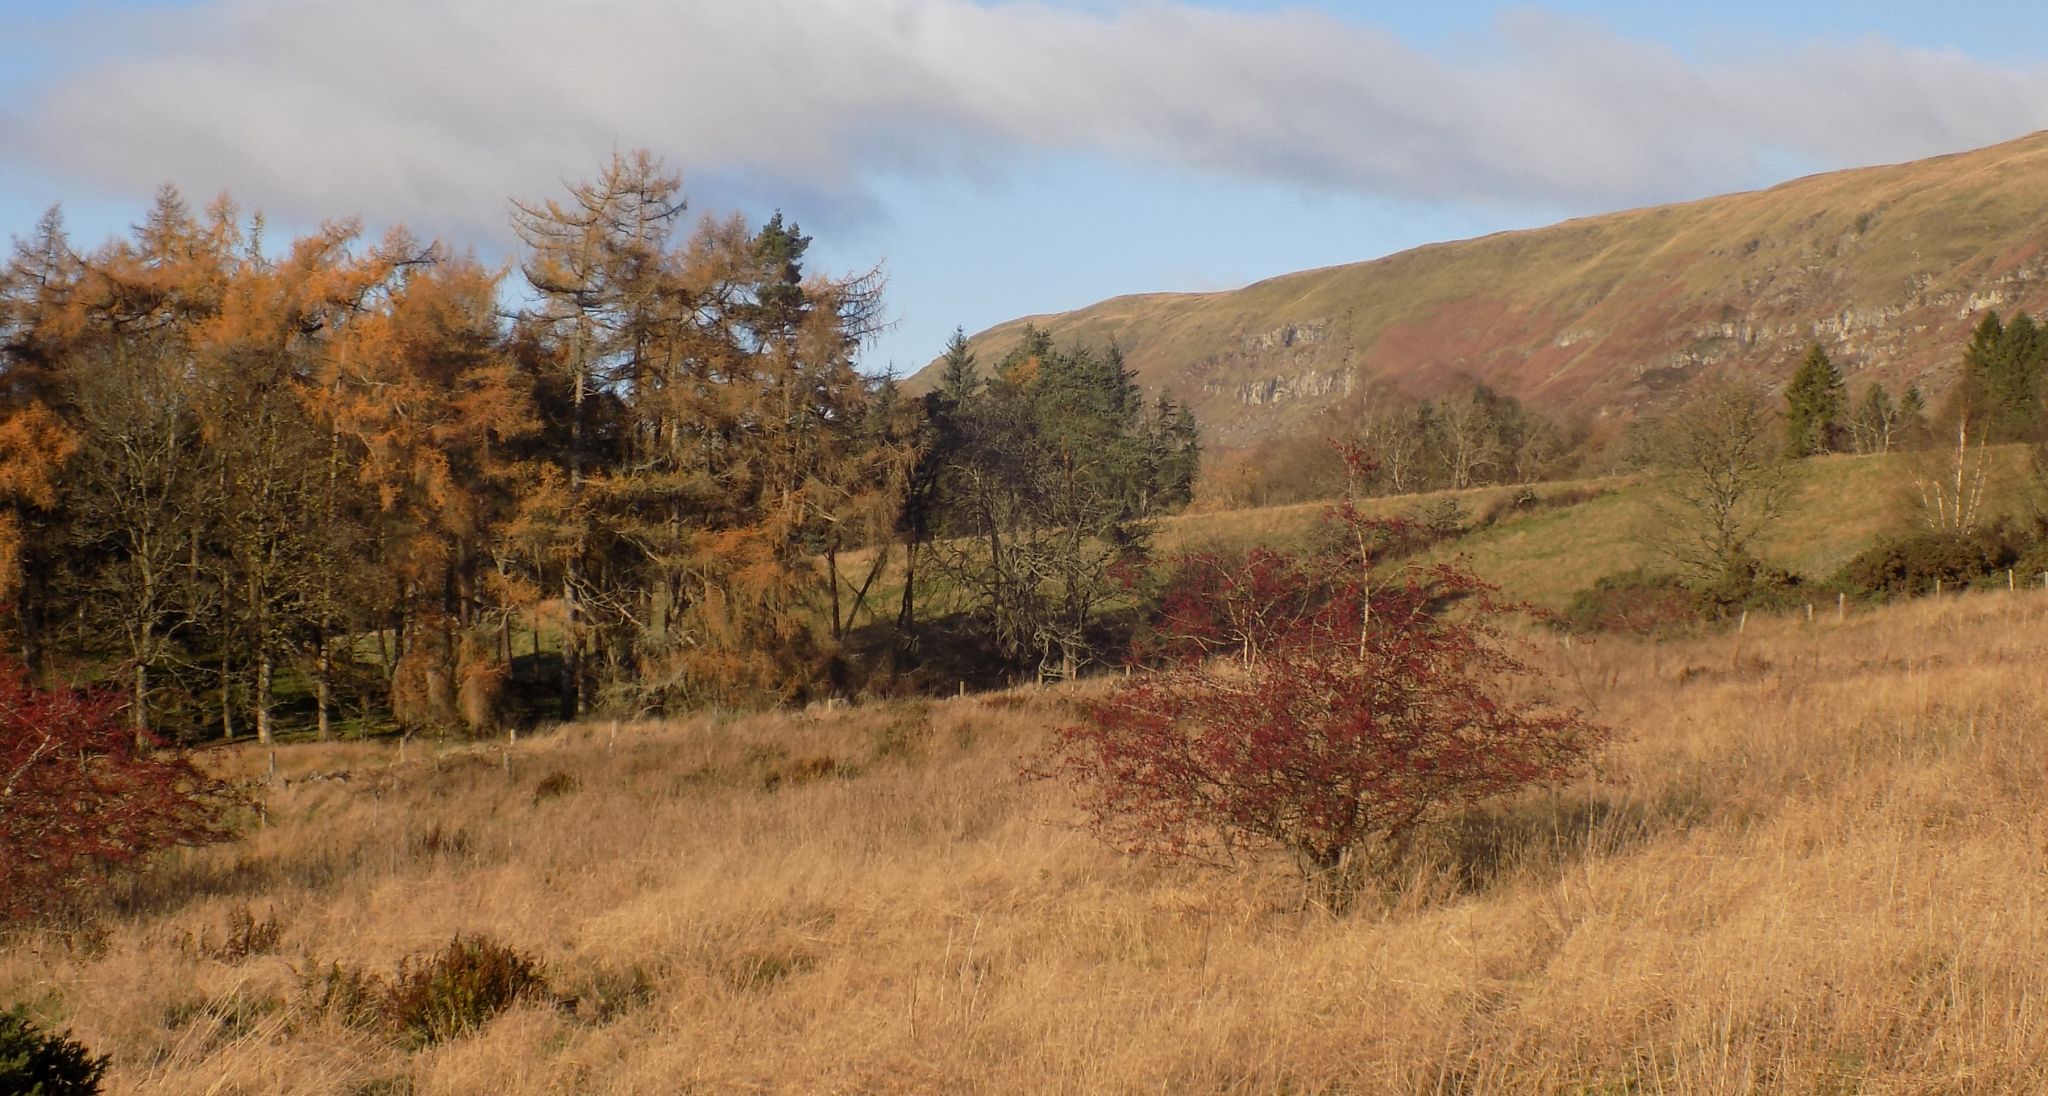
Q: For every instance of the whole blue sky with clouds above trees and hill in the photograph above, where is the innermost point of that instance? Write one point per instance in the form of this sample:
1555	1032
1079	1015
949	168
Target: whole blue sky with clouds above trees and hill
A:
994	159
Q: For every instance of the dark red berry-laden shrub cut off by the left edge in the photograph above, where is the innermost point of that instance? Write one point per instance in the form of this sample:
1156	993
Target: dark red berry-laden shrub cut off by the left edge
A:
81	796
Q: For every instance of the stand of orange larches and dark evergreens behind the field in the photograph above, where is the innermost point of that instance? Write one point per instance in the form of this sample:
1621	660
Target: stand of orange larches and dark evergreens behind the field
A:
349	480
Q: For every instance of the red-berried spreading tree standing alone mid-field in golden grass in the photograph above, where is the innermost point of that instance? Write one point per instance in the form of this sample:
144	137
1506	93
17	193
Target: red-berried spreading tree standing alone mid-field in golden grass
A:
1361	710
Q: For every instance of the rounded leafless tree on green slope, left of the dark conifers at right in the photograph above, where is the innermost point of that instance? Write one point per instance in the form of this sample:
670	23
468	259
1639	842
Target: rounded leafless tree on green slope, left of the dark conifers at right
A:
1723	478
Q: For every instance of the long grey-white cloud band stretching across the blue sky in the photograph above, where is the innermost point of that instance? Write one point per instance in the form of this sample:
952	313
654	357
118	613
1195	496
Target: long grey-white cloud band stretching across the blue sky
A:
439	112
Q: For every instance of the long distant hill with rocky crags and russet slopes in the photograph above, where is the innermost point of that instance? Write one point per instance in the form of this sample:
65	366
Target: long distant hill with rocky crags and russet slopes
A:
1885	267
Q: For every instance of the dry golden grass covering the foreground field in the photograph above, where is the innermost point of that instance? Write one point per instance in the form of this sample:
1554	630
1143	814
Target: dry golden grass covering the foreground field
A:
1816	863
